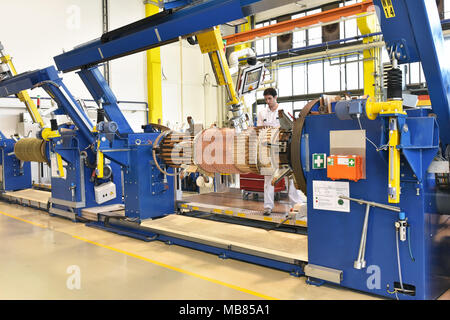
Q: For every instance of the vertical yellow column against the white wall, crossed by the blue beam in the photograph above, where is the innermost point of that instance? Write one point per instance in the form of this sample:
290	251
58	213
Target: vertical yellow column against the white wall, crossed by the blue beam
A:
154	82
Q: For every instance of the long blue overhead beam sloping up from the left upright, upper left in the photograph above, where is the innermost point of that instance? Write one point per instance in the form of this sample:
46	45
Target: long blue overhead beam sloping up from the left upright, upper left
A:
166	29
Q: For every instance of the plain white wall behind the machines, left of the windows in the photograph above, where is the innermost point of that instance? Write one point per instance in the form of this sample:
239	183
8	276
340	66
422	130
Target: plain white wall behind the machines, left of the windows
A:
35	31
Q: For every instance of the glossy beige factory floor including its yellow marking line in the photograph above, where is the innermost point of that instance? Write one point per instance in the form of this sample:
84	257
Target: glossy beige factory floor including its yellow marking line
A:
45	257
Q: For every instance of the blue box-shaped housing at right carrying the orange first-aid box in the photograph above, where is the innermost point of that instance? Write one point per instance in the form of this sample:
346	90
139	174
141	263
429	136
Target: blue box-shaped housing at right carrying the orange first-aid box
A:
334	237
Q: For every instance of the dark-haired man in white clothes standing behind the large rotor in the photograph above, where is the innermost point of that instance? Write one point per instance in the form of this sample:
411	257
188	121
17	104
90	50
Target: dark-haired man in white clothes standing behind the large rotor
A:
268	117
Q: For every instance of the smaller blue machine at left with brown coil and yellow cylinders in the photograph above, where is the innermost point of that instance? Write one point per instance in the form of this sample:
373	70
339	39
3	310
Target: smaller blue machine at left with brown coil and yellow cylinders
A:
80	177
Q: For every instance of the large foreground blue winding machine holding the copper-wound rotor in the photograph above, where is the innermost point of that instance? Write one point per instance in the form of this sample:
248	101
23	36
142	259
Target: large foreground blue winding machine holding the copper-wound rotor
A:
376	208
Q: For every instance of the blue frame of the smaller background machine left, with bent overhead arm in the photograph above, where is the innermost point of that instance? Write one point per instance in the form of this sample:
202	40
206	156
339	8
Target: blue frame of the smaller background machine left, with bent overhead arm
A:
75	190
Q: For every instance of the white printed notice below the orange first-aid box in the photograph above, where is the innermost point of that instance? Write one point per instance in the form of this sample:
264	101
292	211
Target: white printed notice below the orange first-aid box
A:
326	195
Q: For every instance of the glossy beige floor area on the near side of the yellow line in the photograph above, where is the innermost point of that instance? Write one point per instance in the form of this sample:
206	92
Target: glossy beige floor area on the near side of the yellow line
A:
39	263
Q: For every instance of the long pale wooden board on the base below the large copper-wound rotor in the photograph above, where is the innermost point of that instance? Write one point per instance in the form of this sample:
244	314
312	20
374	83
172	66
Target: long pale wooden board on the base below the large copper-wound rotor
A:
282	246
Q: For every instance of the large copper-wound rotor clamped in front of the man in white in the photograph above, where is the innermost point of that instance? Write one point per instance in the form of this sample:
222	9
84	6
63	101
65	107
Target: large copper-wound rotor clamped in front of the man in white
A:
215	150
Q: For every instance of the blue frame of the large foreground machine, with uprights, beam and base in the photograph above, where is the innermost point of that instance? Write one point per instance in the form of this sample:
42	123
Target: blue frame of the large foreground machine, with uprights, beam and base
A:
333	237
